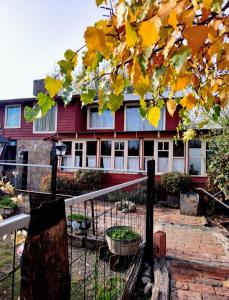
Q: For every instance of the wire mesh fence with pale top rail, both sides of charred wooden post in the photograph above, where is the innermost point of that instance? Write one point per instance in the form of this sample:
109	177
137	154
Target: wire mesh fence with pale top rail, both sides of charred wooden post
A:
98	271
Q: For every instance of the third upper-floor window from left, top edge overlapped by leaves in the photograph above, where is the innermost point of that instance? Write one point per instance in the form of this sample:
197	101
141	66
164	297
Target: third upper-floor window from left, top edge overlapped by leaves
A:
97	121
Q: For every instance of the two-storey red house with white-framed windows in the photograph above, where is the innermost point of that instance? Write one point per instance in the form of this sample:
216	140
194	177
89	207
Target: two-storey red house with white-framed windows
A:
122	142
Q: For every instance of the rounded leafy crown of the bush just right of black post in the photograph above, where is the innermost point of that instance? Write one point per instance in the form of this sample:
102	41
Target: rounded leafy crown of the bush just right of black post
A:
175	182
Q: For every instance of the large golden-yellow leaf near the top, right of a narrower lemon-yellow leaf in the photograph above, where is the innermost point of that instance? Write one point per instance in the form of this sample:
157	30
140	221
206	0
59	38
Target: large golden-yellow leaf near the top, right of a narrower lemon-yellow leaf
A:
149	32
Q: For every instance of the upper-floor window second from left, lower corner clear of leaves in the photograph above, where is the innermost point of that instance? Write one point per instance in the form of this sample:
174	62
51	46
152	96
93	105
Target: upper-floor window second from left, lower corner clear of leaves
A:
46	123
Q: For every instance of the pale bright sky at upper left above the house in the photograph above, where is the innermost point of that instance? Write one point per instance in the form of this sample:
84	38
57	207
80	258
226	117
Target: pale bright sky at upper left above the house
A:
34	34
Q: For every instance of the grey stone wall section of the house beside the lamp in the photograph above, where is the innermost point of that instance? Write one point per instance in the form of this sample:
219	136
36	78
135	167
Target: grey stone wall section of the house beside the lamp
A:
38	153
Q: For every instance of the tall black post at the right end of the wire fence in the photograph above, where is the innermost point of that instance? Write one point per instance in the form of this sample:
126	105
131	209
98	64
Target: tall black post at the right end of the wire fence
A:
149	211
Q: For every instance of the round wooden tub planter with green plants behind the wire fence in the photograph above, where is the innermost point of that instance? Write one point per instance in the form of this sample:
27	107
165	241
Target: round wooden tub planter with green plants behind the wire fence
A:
122	240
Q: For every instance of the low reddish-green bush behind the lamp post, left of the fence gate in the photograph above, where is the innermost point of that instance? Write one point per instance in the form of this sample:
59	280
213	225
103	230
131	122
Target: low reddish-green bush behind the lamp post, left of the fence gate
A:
74	184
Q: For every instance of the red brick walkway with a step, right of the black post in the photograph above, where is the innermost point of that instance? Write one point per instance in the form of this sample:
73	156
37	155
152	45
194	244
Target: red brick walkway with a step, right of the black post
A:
198	257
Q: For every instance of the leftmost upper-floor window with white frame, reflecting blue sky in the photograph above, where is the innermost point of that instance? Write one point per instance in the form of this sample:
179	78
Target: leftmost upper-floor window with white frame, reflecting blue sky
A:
13	116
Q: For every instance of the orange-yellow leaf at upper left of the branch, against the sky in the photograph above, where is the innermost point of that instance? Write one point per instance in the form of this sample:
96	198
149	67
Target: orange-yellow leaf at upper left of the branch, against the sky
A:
95	39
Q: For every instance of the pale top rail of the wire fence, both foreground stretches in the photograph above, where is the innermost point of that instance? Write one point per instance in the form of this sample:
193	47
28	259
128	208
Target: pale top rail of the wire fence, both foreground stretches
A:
17	222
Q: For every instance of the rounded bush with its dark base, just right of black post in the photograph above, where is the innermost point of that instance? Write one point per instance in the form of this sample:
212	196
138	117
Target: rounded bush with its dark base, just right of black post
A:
174	183
